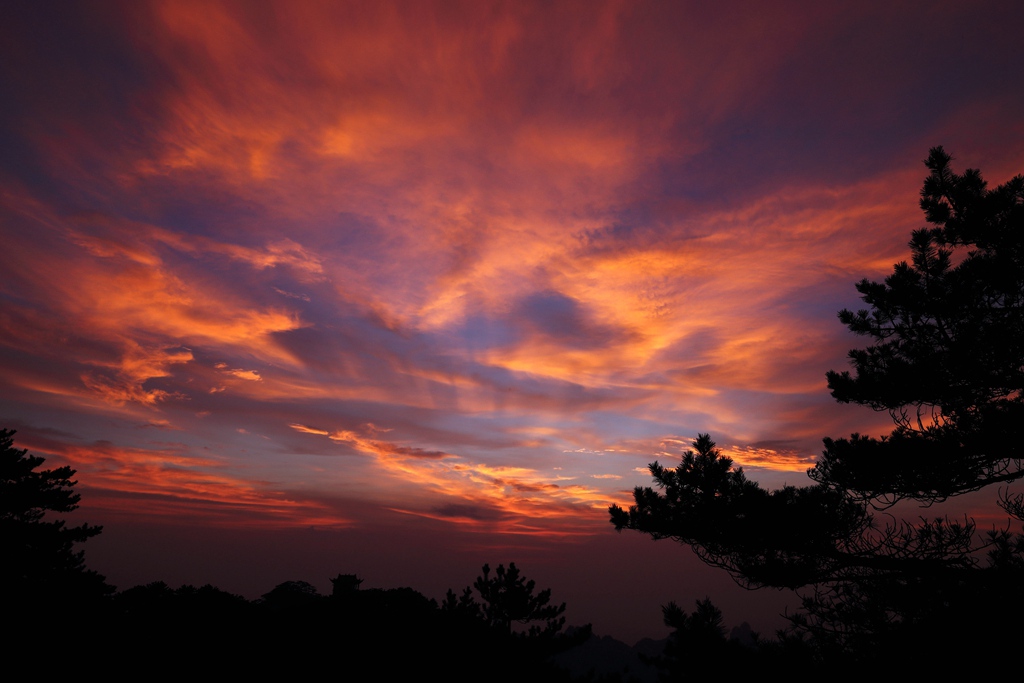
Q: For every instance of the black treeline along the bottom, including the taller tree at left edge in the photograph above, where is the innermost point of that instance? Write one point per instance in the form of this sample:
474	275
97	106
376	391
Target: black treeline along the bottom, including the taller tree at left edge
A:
502	628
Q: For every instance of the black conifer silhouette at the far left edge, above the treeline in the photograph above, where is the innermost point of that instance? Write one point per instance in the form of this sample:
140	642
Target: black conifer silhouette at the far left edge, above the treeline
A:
40	564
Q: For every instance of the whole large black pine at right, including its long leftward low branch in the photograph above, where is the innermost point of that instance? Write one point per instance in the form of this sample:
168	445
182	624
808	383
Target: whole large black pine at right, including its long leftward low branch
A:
948	362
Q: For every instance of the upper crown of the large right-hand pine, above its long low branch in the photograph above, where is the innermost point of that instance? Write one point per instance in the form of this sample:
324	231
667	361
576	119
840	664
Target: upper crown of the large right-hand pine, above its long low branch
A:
949	355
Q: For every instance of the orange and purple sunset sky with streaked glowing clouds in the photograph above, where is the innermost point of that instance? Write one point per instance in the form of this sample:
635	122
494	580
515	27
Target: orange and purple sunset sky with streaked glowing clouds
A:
399	289
